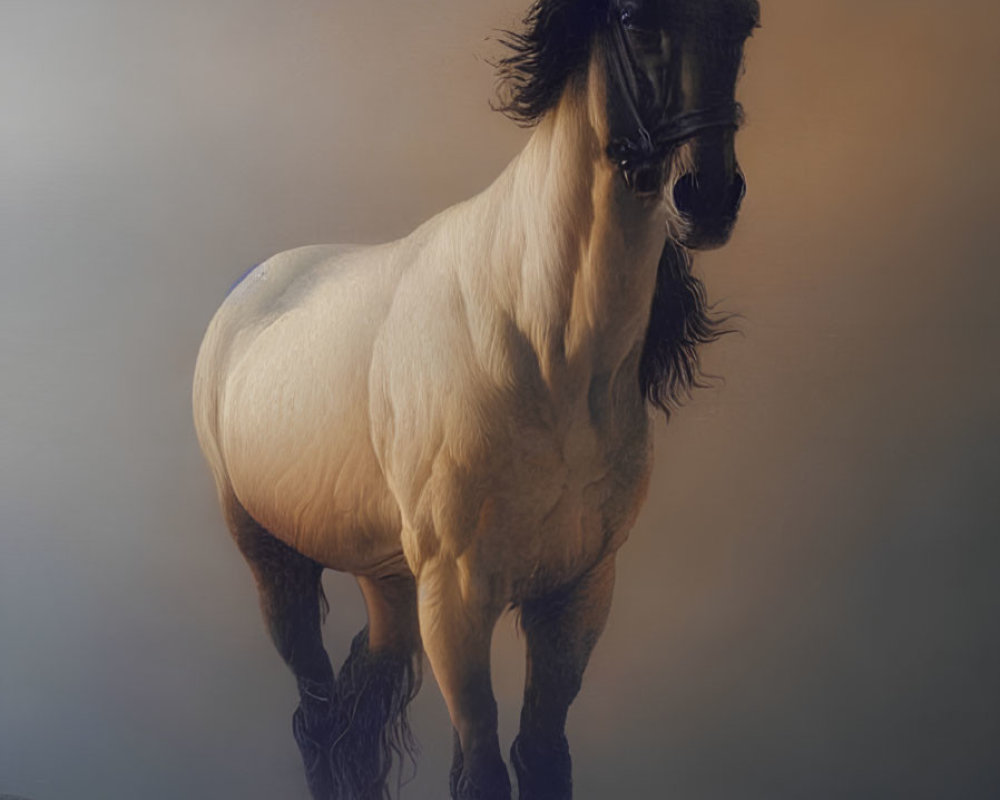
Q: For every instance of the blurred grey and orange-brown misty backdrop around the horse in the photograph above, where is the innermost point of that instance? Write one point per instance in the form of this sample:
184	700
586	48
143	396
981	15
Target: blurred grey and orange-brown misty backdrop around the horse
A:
808	606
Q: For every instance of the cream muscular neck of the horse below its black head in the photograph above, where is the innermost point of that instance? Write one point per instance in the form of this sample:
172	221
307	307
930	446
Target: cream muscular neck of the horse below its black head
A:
584	249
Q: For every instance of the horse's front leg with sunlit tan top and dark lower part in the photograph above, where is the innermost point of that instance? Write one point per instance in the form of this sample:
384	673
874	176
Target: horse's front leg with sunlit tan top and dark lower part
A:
456	625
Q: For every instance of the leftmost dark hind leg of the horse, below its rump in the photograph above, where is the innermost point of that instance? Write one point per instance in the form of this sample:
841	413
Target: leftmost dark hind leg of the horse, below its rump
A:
291	597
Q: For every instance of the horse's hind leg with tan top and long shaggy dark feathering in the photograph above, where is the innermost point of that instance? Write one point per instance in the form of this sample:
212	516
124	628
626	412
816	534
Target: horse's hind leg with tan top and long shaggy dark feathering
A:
374	687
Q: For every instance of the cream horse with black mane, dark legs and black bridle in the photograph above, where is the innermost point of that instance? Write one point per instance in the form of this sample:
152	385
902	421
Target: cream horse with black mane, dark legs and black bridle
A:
461	419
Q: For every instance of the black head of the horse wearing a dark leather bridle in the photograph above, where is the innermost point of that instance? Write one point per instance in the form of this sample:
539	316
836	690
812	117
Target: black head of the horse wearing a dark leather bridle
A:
671	68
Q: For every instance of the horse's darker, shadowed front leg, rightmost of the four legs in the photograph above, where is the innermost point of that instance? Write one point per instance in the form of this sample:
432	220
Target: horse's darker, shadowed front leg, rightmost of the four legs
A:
561	631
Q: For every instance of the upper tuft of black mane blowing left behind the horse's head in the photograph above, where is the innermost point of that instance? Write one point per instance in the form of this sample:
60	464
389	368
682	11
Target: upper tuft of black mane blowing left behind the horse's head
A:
554	45
